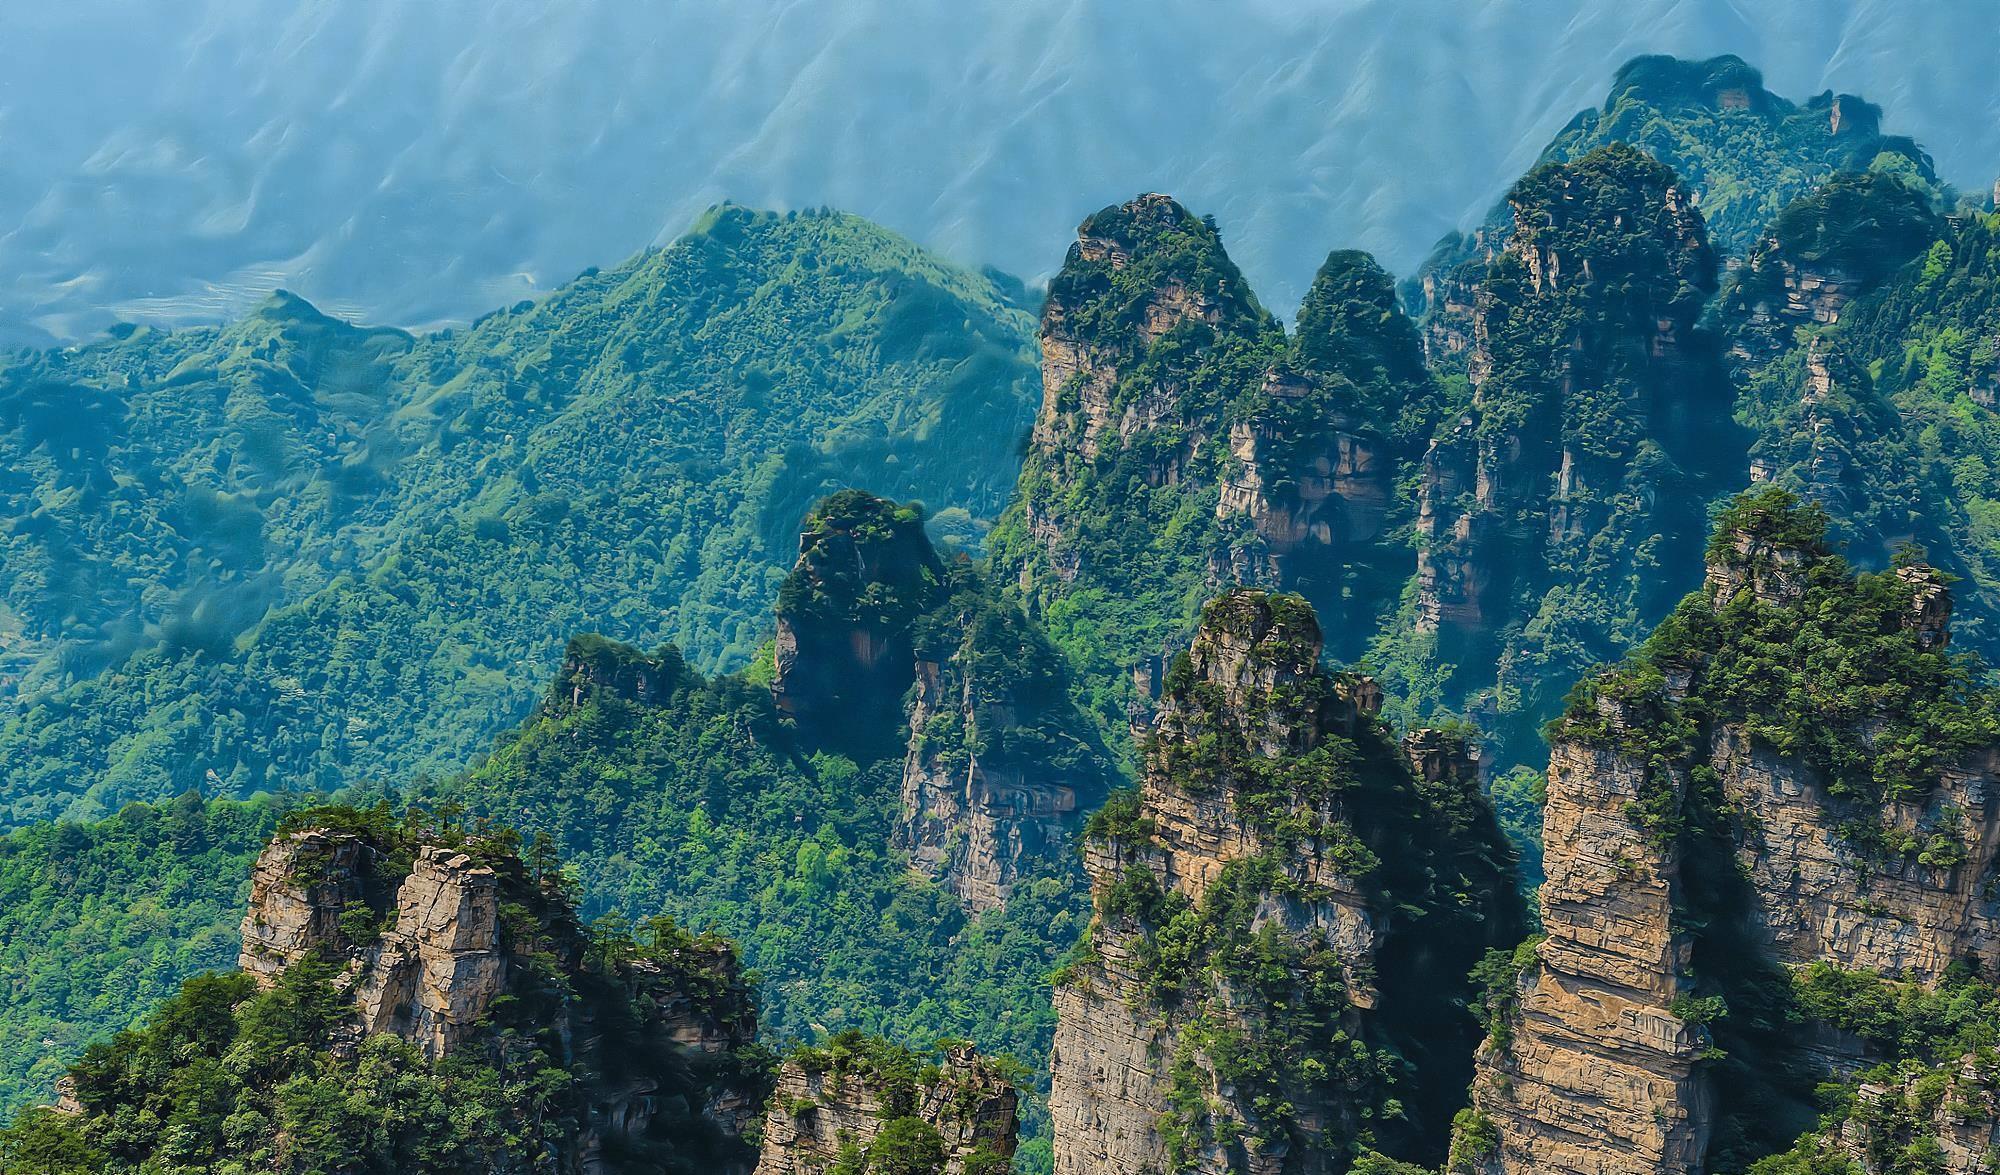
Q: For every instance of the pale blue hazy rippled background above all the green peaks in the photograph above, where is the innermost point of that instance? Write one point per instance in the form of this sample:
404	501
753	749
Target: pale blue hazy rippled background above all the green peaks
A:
423	163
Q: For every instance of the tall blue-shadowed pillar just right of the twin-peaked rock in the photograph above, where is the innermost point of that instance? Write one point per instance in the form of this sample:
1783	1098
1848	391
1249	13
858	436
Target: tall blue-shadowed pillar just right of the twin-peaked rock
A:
1593	417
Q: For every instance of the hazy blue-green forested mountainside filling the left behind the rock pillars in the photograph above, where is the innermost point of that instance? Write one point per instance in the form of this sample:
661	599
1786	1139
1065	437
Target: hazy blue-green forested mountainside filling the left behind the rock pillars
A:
293	555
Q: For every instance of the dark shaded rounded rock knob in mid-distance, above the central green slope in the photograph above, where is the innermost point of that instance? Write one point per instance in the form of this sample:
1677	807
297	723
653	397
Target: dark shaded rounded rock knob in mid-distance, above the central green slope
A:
845	652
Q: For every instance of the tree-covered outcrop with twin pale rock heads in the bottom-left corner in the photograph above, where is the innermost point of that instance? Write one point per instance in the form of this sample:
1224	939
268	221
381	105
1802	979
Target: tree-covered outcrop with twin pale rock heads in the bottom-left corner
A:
417	996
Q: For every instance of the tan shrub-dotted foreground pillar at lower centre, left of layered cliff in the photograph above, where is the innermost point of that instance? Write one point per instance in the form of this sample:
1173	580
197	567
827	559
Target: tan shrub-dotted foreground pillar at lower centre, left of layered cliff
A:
1237	836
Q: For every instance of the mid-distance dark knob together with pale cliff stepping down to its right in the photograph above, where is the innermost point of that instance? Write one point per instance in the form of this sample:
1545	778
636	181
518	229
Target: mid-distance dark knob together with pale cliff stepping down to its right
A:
885	650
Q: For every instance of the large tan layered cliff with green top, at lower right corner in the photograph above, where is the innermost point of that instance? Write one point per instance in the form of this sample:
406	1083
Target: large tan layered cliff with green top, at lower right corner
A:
1779	804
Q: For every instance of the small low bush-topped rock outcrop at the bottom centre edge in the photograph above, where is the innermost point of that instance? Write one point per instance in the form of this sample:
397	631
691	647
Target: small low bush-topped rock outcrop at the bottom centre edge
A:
871	1108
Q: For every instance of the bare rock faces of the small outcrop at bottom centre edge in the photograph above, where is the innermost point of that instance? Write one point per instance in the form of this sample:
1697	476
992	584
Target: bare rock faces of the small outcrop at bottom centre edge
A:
823	1114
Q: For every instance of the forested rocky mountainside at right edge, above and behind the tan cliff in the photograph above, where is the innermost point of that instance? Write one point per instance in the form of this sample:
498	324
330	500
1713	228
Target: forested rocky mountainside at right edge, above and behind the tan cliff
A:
1869	343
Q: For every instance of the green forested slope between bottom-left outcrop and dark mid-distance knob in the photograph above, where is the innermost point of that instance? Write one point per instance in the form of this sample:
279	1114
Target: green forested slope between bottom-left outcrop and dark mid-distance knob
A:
693	798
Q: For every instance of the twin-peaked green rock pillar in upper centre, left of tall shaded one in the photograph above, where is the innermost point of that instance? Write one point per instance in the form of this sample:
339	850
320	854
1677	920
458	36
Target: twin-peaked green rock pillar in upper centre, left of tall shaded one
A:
1185	443
